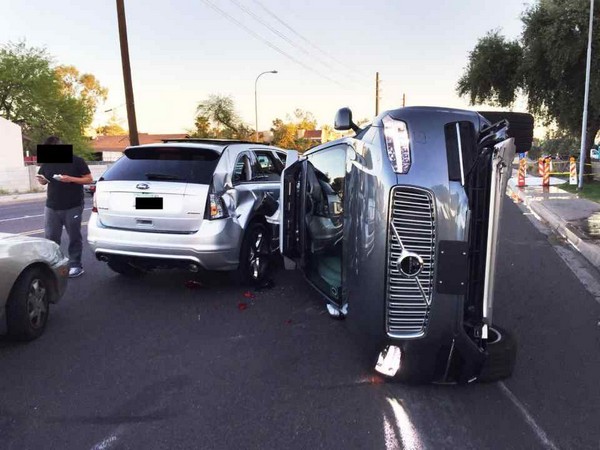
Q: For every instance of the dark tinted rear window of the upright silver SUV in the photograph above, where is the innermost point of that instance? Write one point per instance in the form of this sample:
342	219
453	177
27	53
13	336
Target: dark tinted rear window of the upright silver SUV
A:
173	164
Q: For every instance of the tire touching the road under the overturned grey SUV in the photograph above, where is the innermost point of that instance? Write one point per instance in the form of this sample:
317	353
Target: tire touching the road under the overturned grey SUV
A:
502	355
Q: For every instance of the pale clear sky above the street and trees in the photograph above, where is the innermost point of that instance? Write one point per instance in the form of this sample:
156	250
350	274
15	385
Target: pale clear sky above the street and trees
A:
184	50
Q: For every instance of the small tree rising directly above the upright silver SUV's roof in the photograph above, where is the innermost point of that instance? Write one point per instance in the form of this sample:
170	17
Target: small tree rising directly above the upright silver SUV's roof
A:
217	118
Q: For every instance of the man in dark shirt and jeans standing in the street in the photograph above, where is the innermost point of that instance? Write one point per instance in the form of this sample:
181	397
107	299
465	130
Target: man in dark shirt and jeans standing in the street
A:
64	204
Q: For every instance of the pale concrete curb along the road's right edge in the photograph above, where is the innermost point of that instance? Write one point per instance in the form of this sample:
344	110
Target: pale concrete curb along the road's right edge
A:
559	225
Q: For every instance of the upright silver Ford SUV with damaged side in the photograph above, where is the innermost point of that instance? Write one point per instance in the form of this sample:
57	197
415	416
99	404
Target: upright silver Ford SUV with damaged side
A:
192	203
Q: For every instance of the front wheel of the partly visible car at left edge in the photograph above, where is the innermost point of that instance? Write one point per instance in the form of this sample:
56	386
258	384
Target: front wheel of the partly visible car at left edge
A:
28	305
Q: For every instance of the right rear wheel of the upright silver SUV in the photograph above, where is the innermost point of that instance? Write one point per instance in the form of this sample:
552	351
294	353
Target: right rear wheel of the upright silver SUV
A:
254	255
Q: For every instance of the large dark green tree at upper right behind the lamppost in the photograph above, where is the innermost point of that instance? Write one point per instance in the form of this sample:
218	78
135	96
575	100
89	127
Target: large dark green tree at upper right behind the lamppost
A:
547	65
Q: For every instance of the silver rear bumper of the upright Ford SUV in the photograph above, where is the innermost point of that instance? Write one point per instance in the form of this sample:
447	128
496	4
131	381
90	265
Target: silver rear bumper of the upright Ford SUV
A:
216	245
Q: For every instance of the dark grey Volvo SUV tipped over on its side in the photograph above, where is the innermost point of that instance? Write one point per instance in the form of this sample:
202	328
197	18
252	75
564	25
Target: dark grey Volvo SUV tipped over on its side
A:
397	228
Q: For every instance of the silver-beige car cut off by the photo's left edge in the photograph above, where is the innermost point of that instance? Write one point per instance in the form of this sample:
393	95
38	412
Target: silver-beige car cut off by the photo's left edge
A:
34	274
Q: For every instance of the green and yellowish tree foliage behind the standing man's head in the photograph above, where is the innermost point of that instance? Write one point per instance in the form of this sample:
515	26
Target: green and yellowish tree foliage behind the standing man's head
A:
46	100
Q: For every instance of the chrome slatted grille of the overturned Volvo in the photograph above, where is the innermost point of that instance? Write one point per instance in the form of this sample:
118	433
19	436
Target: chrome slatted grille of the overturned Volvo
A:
412	215
